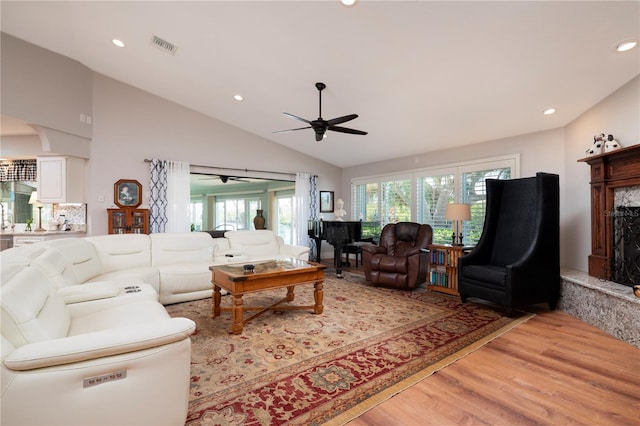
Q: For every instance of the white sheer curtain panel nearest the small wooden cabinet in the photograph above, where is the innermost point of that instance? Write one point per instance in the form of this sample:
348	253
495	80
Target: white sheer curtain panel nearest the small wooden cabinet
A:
178	197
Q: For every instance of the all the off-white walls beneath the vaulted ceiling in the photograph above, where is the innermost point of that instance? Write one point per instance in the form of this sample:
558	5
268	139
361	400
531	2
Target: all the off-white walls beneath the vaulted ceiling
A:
130	125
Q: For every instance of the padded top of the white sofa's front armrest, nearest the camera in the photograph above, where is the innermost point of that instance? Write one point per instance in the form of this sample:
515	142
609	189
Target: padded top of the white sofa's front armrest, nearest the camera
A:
100	344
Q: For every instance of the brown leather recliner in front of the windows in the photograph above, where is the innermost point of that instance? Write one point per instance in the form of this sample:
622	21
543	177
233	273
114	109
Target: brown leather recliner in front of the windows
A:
398	260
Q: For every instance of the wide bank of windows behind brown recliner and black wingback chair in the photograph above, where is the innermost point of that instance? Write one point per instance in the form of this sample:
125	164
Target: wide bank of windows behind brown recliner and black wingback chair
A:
423	195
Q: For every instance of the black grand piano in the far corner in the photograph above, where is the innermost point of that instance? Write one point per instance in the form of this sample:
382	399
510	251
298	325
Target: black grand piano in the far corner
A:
337	233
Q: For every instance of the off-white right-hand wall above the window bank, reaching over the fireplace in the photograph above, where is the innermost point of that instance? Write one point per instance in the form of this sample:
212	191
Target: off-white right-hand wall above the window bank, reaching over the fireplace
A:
553	151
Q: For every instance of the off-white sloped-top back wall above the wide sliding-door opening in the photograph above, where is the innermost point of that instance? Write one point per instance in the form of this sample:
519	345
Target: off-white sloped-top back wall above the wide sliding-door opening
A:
131	125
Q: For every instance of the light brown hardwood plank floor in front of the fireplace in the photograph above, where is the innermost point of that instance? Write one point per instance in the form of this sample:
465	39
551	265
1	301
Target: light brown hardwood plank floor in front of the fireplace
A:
552	370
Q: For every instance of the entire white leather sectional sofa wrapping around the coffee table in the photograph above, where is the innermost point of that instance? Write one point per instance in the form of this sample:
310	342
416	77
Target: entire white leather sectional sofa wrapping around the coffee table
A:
85	340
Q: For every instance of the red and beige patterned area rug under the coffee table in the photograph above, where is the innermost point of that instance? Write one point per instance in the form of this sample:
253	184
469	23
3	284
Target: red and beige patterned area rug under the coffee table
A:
295	367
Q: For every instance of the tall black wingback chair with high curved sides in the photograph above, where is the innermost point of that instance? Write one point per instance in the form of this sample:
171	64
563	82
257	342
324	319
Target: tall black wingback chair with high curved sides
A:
517	259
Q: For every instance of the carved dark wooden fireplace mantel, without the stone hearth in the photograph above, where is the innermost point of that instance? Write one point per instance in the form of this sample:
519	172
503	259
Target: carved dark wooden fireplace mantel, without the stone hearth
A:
616	169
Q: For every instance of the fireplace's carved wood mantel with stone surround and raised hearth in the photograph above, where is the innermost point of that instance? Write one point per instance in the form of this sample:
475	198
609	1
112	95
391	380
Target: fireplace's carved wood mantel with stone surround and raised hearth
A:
612	307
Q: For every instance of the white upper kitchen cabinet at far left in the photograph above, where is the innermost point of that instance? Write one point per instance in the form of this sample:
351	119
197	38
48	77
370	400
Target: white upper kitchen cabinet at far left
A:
61	179
